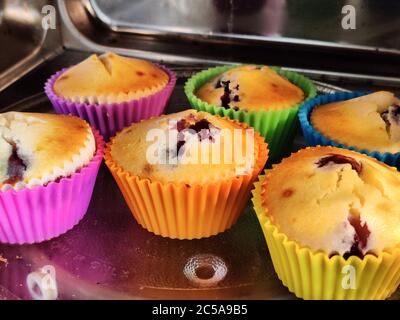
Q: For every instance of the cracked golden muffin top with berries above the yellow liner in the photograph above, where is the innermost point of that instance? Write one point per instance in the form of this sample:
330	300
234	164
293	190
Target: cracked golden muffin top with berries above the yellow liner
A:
335	200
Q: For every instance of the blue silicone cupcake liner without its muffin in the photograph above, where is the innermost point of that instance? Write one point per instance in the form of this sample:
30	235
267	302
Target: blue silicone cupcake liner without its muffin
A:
314	137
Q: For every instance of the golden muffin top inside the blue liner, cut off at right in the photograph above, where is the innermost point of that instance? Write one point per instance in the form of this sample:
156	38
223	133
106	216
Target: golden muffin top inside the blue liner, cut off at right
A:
370	122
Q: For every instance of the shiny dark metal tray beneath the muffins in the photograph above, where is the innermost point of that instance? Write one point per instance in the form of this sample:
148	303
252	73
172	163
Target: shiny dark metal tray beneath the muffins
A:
109	256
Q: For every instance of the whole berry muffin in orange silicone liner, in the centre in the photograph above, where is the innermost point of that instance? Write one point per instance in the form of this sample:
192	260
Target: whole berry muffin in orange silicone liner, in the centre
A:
186	175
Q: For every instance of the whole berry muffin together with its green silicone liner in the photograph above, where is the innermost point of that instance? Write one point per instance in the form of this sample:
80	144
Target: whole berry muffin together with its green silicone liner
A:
265	98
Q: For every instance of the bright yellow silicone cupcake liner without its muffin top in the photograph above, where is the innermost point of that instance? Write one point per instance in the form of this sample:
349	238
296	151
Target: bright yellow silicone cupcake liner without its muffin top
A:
315	275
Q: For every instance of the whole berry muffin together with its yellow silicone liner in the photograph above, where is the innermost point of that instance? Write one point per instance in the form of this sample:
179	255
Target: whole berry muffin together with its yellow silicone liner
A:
325	211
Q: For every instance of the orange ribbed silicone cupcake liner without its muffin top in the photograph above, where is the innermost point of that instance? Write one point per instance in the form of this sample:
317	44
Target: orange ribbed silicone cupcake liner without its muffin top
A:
180	211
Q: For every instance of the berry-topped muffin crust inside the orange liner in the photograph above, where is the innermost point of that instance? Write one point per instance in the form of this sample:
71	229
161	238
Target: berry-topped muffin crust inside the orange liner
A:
184	157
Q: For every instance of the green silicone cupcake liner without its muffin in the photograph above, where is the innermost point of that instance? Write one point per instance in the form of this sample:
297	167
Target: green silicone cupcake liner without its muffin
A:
278	127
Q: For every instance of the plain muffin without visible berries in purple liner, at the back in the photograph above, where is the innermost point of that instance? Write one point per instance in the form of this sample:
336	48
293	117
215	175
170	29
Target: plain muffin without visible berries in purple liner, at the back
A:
111	92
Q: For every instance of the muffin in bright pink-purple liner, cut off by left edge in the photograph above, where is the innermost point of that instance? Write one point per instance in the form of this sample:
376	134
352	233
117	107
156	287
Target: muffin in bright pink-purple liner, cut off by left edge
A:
47	182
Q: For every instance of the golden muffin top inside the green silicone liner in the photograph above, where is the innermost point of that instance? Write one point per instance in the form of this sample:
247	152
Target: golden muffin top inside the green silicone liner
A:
250	88
